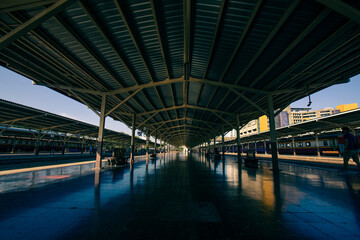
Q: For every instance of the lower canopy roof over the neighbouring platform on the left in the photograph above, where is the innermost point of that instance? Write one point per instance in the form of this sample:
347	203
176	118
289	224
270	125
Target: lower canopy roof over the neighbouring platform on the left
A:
41	122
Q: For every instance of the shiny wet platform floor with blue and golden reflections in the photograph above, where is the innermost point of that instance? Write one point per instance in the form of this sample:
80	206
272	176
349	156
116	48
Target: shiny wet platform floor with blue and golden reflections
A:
180	197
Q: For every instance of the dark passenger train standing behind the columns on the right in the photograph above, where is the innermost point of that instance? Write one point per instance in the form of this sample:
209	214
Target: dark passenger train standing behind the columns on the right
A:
331	144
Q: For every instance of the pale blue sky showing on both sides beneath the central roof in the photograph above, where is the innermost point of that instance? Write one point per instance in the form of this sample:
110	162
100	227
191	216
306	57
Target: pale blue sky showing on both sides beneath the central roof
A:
18	89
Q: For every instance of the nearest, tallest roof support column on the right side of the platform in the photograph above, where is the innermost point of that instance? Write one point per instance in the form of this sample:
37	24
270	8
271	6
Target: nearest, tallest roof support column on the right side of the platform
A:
273	139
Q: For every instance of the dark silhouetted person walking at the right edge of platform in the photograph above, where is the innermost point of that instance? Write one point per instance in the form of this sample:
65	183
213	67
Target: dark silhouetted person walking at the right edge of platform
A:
351	149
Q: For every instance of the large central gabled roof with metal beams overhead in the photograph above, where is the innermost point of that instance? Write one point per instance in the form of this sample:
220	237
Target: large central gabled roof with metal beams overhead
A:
189	68
